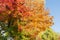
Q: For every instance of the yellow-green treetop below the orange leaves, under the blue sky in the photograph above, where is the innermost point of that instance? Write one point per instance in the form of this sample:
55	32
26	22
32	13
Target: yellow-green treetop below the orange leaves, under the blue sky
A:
49	34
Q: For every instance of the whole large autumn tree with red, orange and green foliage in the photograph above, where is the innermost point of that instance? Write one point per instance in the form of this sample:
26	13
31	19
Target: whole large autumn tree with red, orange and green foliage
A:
24	19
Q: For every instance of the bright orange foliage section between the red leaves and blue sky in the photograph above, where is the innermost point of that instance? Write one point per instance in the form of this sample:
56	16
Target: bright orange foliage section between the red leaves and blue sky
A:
36	20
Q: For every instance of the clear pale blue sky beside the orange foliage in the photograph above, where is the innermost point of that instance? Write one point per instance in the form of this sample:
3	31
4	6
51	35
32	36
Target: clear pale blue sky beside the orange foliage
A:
54	6
